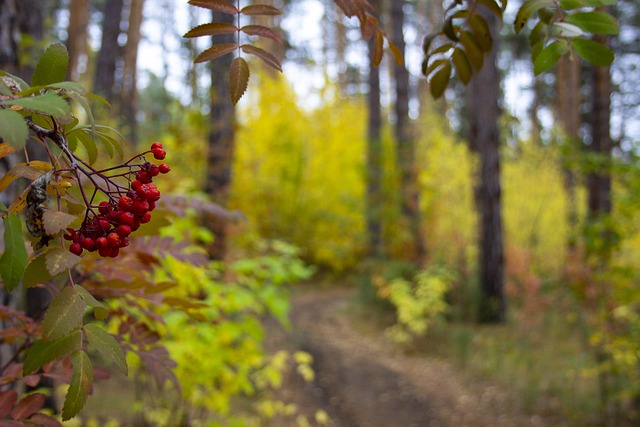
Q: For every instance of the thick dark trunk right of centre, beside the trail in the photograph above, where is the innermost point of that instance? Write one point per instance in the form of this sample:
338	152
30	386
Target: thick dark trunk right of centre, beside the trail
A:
483	93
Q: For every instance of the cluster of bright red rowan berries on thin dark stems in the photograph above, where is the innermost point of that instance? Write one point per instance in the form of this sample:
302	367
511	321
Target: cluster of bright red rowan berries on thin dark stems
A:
108	230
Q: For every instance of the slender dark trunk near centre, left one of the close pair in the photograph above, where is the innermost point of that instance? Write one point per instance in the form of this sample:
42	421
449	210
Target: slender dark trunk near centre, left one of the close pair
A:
374	156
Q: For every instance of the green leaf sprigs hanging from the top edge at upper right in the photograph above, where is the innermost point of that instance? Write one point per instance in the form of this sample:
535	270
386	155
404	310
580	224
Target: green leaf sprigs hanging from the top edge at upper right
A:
562	27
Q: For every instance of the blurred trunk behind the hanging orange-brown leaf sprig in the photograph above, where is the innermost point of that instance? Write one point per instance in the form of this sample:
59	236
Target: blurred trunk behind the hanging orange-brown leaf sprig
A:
221	139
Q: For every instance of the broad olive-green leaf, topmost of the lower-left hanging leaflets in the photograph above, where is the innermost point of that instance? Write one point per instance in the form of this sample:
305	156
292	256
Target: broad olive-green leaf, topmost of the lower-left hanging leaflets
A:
64	314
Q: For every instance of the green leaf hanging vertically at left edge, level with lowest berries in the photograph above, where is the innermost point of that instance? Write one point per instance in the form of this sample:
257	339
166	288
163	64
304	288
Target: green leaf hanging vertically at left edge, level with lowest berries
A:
14	259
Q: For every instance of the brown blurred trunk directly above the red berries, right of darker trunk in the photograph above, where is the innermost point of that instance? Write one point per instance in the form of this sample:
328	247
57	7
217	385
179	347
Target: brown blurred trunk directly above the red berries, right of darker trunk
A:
129	89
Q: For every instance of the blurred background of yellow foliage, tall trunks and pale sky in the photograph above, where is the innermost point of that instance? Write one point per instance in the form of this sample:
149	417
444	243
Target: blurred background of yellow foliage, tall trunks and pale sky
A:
527	189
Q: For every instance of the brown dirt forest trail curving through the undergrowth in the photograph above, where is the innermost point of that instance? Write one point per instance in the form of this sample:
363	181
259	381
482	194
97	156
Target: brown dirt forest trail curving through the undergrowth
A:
363	381
